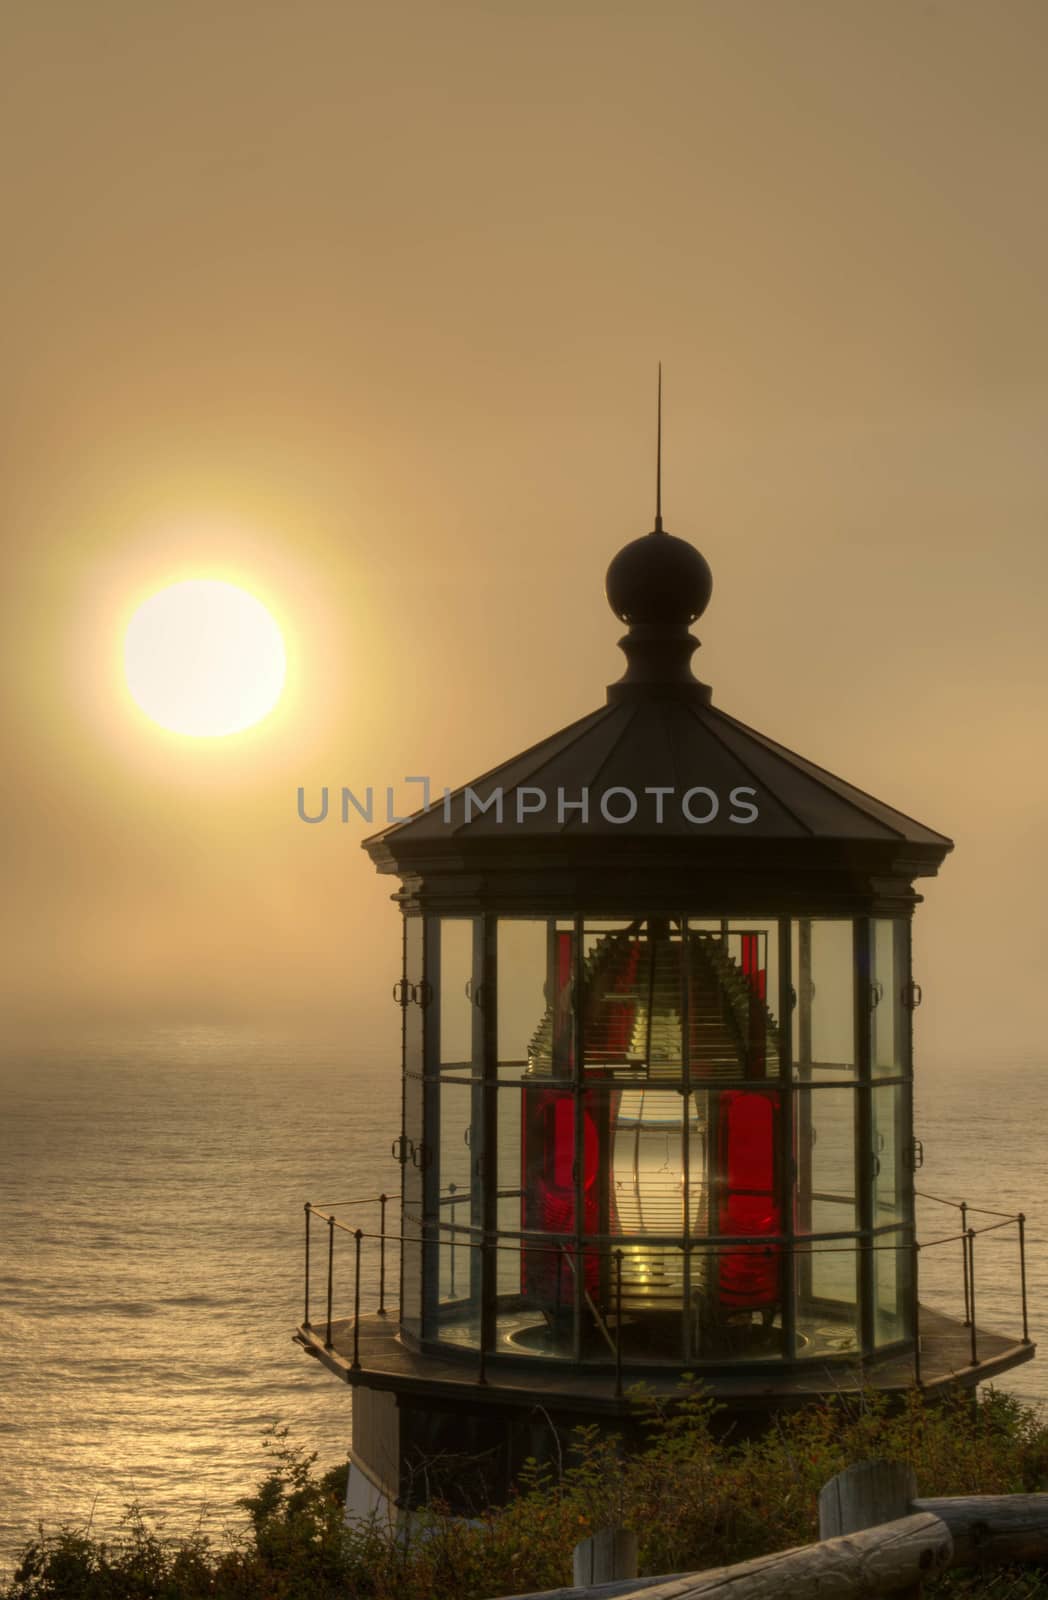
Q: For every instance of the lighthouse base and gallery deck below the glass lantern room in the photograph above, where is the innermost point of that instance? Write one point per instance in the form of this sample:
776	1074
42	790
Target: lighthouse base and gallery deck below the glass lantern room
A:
428	1431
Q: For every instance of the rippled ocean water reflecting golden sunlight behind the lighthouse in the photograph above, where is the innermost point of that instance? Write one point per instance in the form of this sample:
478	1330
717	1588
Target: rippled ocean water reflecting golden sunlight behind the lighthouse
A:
151	1262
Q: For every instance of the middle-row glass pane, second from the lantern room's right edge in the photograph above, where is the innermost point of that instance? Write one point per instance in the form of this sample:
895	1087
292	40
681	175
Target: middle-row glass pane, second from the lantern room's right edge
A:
825	1145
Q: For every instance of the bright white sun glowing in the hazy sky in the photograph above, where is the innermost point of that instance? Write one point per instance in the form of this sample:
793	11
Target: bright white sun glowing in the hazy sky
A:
204	658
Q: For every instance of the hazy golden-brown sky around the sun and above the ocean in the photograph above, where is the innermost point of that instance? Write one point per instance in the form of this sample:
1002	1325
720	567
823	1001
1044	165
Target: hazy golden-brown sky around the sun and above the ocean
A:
361	306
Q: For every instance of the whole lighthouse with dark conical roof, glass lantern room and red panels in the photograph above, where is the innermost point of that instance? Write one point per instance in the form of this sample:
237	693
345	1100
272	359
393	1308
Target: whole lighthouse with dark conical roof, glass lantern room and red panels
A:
657	1020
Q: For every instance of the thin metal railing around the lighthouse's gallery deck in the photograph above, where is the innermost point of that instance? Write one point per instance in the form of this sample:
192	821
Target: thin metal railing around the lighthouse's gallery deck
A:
566	1254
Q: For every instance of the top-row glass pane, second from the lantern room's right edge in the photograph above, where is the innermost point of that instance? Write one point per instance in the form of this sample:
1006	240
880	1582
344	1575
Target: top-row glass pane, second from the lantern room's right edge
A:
823	966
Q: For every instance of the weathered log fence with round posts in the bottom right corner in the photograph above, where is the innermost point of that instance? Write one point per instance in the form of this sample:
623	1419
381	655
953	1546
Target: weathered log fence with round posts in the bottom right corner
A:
876	1540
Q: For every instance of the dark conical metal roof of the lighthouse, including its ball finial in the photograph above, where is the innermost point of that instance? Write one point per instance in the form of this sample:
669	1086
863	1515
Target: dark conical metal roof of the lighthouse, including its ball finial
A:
660	775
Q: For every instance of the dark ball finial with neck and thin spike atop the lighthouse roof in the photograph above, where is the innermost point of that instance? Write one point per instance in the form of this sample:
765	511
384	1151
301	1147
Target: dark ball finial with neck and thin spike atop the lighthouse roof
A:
658	585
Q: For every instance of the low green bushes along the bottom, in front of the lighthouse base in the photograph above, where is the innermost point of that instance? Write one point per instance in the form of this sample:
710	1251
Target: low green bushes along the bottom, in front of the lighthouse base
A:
695	1503
